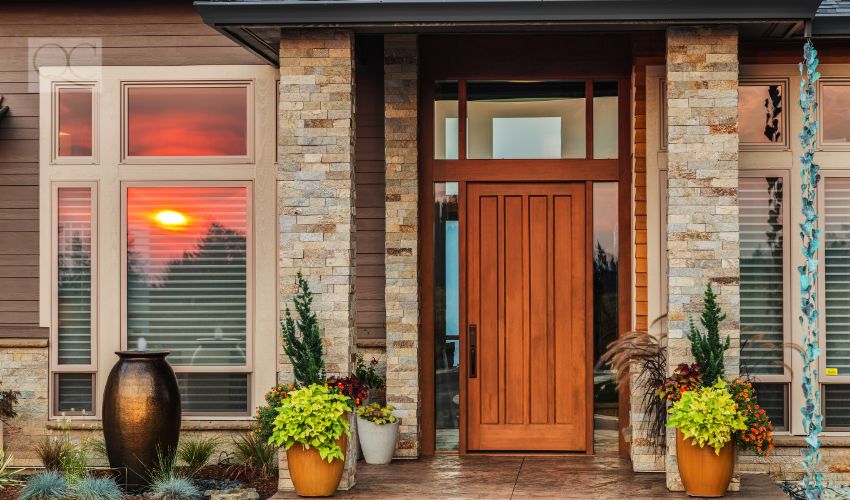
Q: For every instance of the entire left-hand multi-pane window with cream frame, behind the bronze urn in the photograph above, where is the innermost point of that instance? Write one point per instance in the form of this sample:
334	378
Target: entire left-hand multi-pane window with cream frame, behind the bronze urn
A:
159	232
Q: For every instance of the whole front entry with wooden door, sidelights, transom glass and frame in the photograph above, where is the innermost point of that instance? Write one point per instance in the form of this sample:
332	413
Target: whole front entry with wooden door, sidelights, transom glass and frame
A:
519	267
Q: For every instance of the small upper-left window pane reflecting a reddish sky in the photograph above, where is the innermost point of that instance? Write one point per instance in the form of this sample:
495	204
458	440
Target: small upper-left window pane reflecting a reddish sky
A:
75	122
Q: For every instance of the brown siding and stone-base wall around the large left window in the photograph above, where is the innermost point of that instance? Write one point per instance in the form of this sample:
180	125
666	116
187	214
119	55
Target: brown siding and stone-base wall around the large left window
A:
154	34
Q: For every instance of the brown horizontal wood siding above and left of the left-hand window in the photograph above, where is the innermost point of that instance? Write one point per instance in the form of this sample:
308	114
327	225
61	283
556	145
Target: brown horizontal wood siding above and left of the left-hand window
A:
140	34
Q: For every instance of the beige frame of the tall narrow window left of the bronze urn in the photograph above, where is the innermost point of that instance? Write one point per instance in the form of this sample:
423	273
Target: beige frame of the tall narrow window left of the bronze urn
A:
55	369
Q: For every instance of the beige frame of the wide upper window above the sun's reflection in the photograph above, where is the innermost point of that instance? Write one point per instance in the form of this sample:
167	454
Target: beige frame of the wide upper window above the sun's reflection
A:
128	159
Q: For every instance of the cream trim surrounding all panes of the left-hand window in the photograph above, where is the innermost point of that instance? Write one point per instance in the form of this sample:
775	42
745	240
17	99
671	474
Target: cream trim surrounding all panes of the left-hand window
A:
111	173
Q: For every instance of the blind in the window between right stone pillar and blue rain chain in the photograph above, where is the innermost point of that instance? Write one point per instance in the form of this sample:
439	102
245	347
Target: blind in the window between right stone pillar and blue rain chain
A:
762	268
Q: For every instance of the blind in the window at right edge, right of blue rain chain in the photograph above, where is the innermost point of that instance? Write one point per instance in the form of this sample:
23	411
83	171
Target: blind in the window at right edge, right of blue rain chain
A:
837	279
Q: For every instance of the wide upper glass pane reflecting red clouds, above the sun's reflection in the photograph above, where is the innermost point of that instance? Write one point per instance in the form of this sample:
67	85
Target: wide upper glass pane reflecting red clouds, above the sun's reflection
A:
187	120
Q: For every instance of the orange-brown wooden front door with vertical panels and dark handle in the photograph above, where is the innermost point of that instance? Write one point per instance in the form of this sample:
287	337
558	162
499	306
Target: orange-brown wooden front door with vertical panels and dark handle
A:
526	291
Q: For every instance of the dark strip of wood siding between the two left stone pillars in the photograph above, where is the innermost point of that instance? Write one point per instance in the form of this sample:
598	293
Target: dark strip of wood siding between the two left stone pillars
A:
370	317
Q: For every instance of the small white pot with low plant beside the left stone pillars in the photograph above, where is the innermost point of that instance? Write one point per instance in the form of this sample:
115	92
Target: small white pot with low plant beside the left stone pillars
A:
378	431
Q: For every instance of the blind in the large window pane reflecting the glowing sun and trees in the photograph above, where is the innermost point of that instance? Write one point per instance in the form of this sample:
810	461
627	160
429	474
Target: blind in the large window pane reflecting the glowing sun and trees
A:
187	273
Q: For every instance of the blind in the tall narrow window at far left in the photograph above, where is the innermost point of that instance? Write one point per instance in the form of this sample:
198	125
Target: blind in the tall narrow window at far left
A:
74	297
